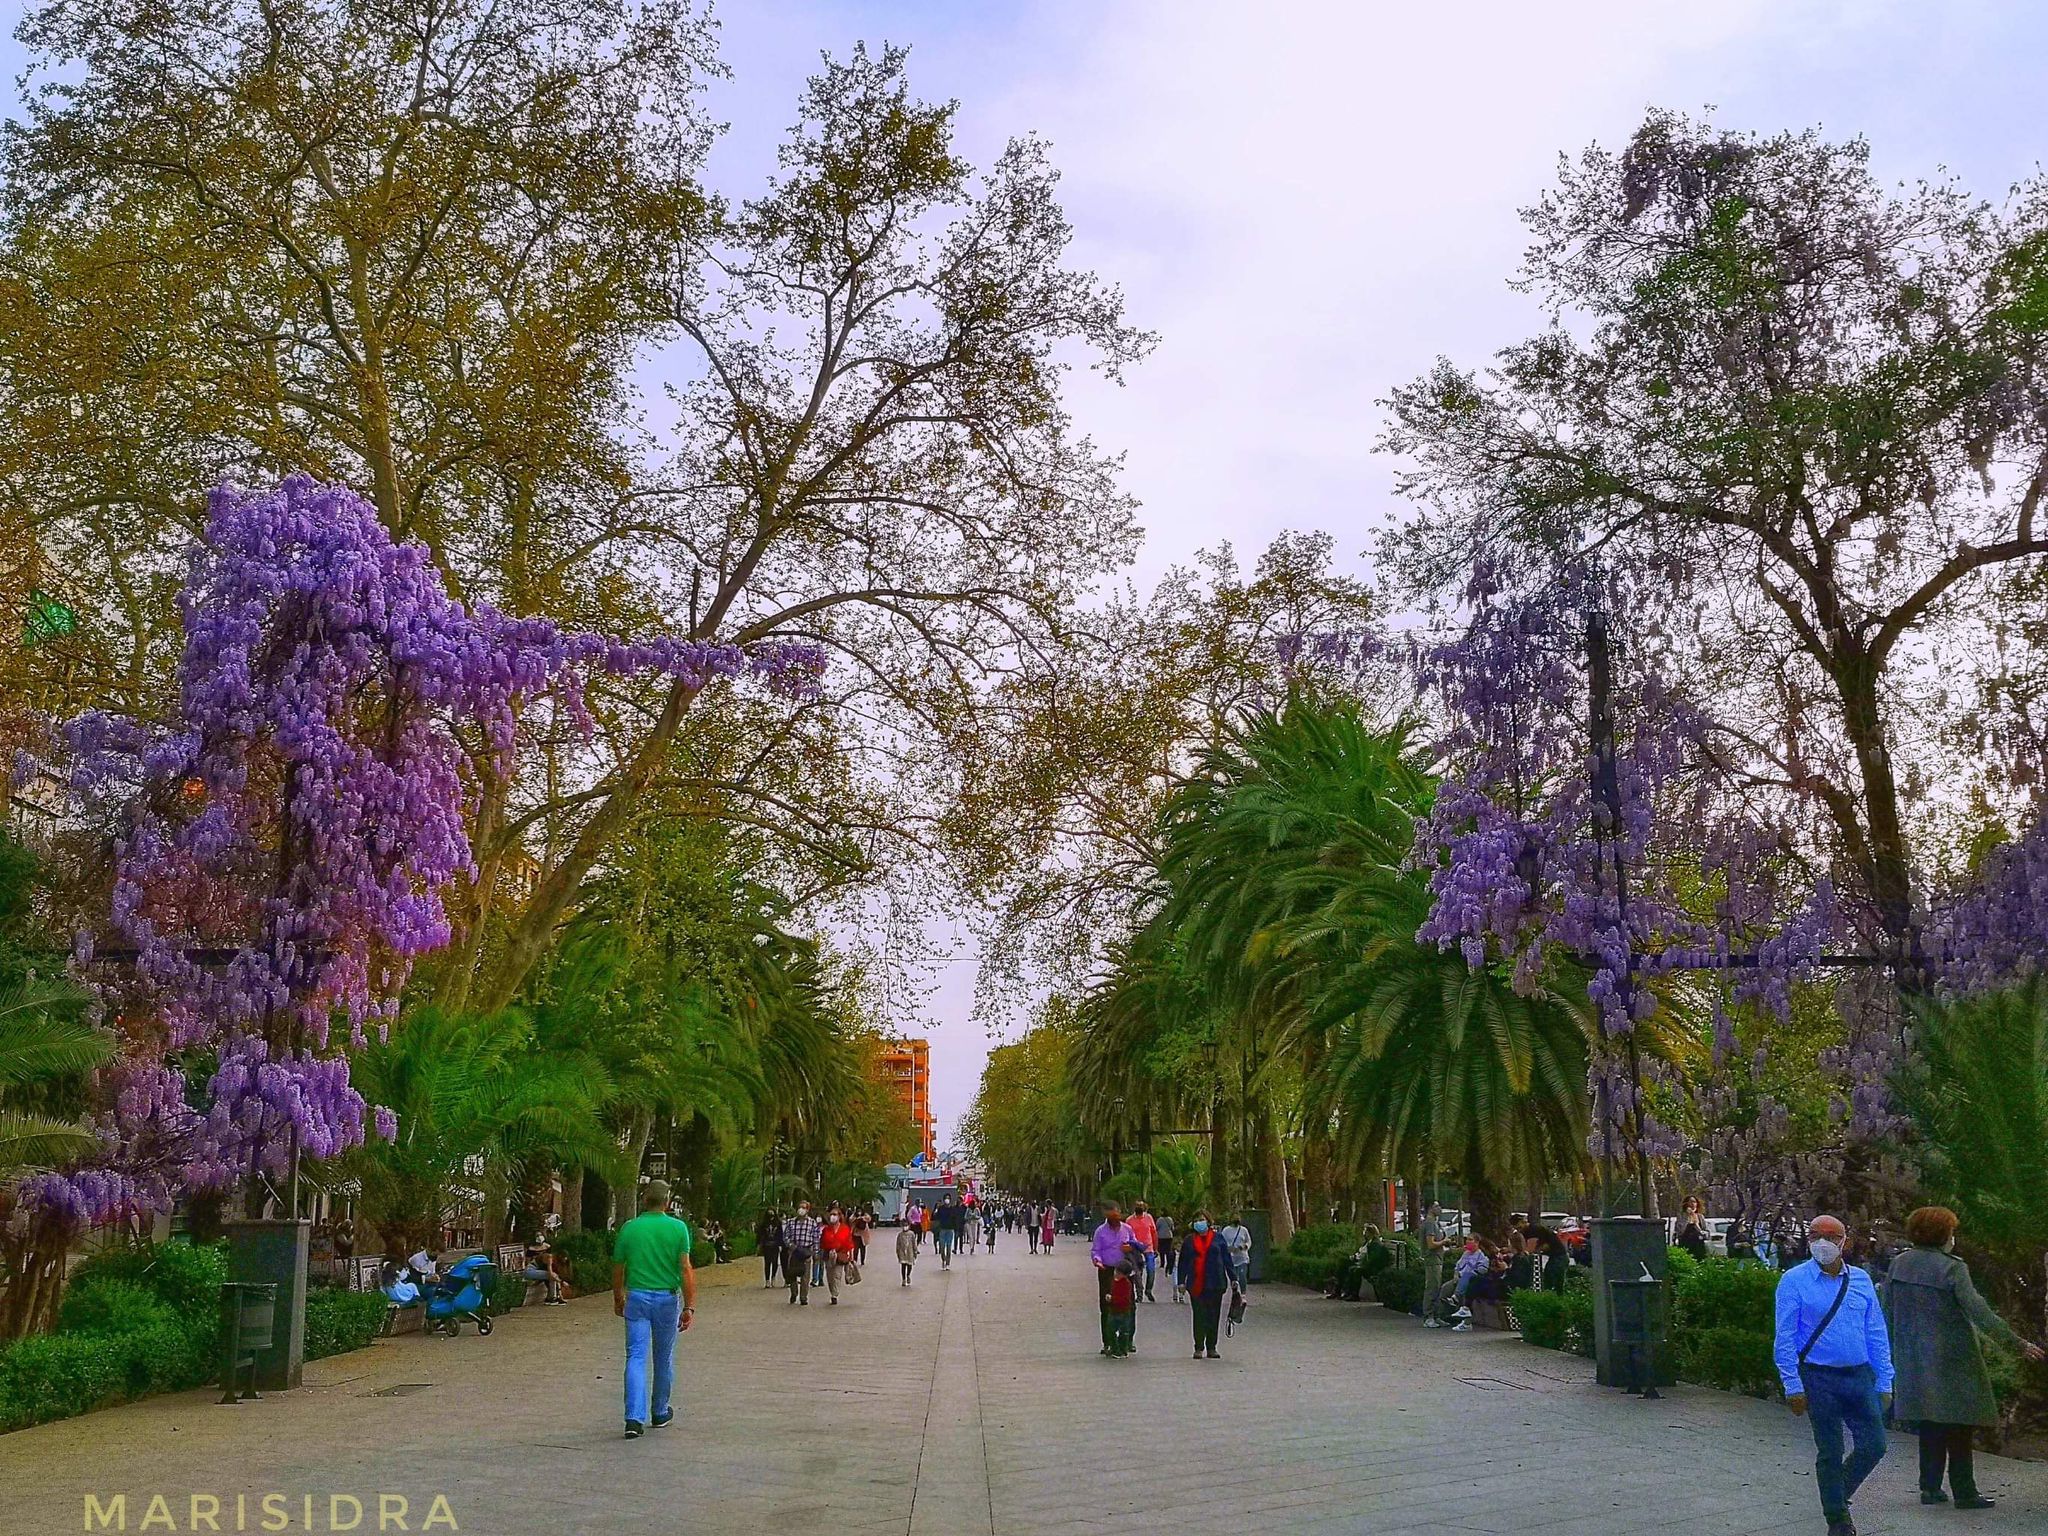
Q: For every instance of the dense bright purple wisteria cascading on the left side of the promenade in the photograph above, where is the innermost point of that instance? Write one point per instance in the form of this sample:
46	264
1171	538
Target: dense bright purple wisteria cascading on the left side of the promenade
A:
282	849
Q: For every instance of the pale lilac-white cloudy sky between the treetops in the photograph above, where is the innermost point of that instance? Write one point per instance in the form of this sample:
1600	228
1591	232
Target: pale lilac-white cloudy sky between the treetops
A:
1314	200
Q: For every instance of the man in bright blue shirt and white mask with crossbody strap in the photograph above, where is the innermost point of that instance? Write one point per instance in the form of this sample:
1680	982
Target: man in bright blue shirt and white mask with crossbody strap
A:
1836	1363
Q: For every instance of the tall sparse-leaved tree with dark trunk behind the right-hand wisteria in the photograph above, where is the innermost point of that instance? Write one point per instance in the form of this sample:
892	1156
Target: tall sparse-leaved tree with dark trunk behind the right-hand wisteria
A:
1803	415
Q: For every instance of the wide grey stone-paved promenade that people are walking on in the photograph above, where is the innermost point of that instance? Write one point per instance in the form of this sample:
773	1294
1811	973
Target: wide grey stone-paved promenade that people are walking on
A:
976	1406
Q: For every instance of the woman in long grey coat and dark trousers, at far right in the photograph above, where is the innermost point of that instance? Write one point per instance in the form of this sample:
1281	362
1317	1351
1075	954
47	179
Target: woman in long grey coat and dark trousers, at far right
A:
1943	1385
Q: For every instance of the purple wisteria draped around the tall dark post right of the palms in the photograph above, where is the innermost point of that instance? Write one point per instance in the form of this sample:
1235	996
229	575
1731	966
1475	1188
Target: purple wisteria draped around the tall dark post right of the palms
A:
1525	865
